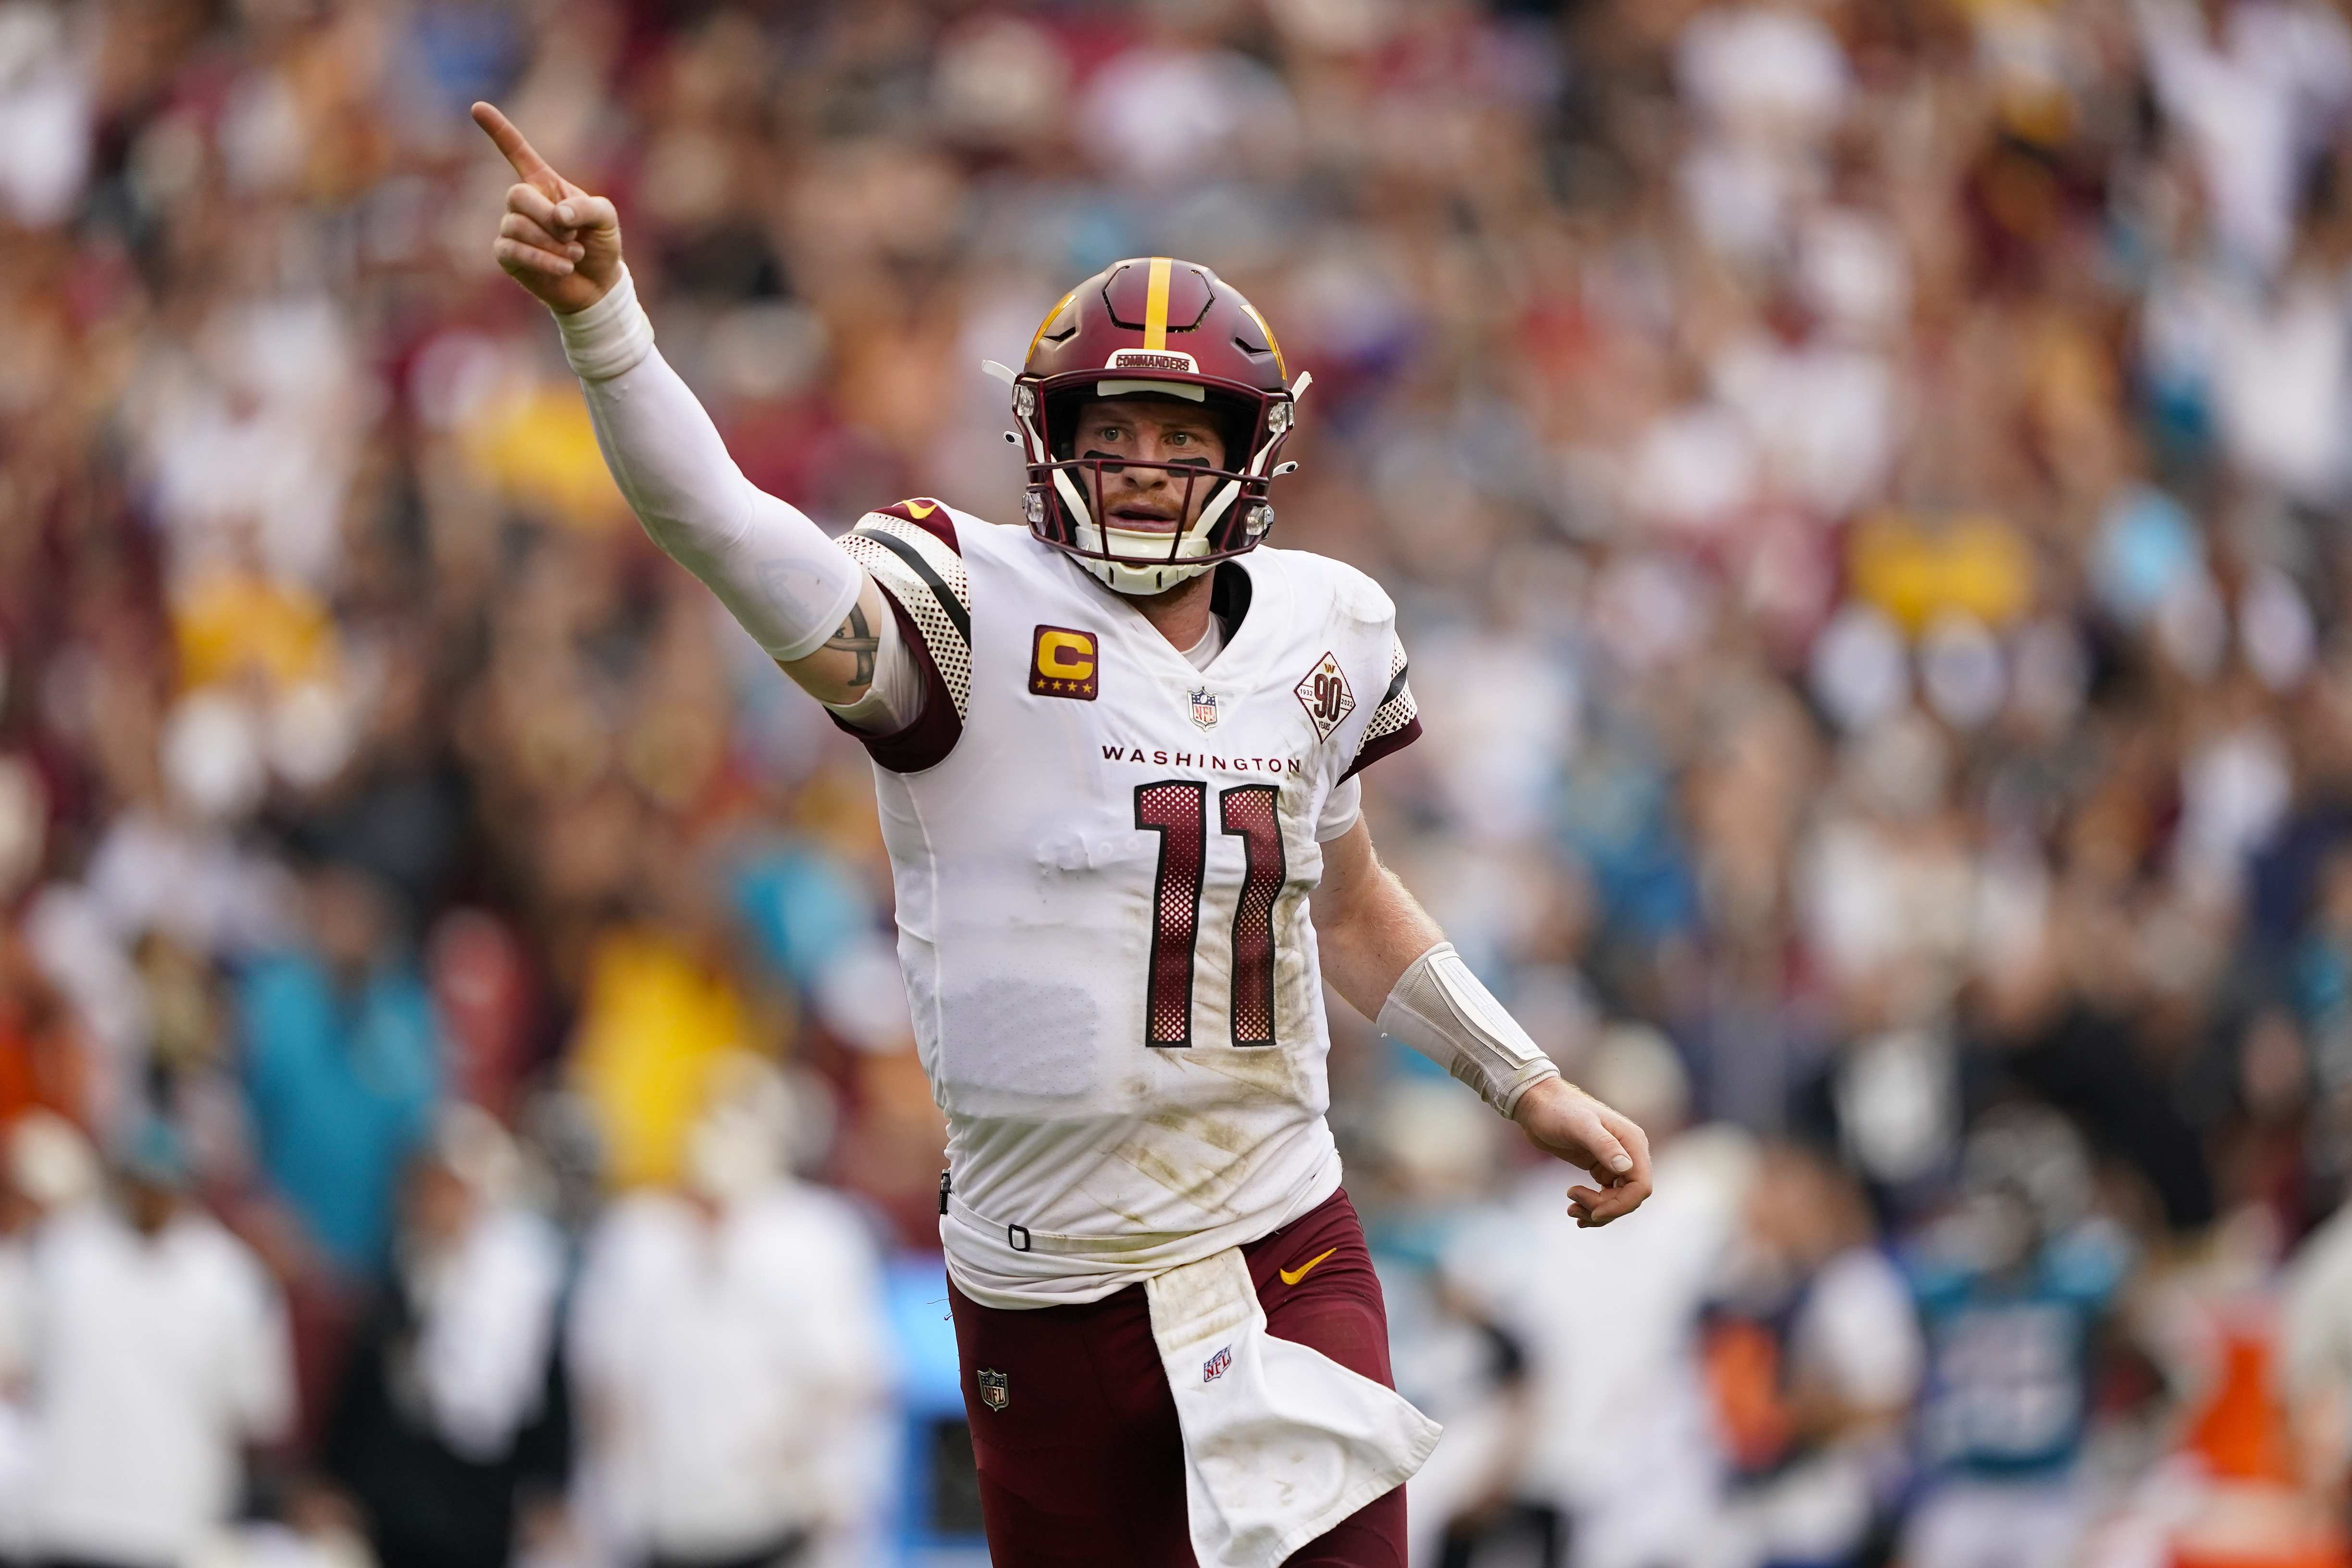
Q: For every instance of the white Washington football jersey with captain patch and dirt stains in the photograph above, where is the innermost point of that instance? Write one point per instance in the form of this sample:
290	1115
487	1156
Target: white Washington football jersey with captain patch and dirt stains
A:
1104	862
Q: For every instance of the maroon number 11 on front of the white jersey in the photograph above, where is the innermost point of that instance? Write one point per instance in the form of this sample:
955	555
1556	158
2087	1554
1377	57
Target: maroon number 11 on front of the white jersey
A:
1180	812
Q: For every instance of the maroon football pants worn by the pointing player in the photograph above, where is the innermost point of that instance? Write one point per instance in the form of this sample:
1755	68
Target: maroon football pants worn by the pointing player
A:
1083	1468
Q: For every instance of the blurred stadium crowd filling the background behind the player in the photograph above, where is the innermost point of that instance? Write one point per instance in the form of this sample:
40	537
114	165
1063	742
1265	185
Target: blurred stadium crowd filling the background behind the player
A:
1866	485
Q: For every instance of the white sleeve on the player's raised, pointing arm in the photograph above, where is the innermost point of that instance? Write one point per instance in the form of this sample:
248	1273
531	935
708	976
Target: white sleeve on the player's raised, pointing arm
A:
766	561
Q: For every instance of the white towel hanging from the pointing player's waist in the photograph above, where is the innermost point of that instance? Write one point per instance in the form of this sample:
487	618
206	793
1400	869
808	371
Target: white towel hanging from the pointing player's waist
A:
1281	1442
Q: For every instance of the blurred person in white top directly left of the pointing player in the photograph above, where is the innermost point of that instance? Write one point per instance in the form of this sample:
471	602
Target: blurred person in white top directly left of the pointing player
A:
728	1355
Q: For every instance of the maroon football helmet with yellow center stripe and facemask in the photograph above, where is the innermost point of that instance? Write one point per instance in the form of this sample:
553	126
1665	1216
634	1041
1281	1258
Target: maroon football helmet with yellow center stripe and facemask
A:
1175	330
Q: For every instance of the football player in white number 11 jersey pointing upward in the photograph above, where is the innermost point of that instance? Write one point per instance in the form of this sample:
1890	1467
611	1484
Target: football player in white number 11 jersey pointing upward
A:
1116	756
